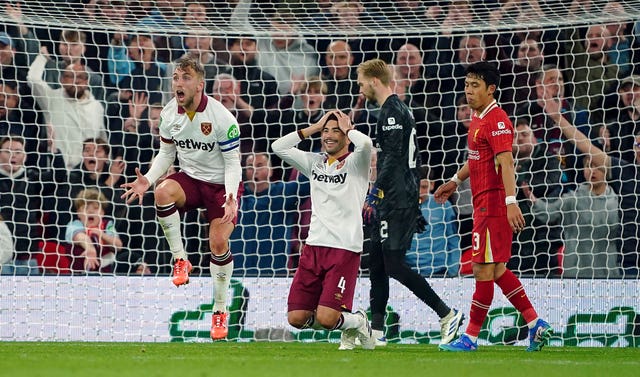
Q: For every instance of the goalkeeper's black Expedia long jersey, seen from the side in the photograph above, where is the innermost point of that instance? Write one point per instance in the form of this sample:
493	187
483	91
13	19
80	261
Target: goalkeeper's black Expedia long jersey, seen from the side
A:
398	155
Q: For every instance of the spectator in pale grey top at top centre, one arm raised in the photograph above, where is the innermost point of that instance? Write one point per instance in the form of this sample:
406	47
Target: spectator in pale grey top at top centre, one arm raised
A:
285	55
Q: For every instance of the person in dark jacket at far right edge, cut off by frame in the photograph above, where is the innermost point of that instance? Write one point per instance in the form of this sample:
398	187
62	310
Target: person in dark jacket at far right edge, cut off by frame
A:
623	119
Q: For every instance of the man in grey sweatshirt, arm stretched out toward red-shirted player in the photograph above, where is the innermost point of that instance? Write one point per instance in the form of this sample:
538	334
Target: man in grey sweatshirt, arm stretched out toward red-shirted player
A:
590	221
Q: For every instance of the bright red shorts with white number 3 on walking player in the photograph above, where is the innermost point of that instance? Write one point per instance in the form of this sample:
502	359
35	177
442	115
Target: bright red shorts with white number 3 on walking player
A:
491	239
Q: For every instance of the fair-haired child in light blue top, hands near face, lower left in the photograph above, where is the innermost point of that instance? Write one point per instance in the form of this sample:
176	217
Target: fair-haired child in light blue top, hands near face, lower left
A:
92	237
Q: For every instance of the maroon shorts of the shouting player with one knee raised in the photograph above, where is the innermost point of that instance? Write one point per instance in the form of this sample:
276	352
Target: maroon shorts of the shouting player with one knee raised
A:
201	194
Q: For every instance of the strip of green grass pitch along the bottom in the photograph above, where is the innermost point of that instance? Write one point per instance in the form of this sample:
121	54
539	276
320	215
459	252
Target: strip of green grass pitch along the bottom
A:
279	359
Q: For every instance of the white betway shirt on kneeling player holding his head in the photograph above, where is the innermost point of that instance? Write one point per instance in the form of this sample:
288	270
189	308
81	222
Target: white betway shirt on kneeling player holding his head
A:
338	190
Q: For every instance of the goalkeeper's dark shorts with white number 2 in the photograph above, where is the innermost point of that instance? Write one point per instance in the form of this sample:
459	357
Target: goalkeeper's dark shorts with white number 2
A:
394	229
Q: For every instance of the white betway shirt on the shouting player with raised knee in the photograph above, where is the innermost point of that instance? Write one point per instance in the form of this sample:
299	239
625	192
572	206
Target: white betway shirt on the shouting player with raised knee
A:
207	145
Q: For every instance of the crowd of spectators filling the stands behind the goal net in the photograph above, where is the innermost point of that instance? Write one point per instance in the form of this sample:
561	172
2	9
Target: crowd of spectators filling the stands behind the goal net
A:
80	111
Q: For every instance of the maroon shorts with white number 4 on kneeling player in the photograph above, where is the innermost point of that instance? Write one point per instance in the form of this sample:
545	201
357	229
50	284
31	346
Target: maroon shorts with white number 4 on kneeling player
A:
325	276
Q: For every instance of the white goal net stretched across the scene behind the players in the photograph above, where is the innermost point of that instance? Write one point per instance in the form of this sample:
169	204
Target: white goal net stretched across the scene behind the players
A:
81	90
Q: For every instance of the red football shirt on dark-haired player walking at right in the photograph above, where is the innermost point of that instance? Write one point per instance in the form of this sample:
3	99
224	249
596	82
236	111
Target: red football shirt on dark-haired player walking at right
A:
490	133
